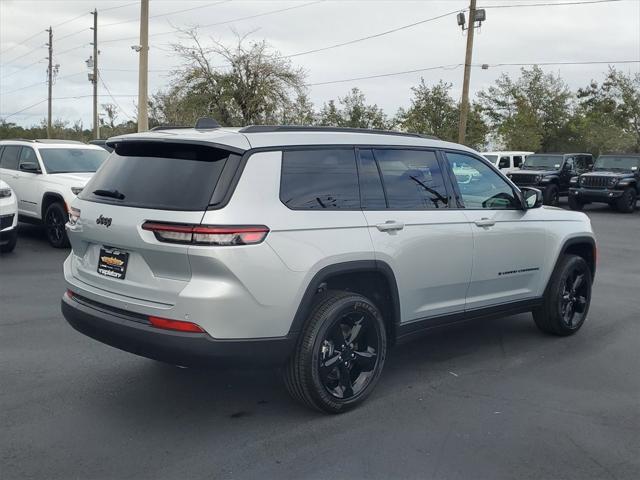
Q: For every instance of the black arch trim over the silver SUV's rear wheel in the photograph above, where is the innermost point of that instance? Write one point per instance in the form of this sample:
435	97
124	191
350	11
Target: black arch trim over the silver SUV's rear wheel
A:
371	278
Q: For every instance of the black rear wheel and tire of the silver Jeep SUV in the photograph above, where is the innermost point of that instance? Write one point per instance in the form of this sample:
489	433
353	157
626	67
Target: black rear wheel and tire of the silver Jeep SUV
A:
340	353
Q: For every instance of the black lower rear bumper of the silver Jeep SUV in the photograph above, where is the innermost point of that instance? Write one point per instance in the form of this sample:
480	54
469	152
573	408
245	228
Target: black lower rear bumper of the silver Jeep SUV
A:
132	335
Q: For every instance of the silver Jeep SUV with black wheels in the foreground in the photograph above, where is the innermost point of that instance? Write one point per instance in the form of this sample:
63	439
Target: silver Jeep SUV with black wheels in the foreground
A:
315	249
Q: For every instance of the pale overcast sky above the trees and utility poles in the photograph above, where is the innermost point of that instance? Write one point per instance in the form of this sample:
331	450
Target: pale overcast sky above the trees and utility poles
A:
525	34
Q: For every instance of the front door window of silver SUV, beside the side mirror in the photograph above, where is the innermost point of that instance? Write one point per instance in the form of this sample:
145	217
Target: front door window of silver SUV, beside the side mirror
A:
479	185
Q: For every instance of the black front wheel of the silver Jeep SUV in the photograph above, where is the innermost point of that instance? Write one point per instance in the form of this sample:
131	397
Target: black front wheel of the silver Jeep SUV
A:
567	298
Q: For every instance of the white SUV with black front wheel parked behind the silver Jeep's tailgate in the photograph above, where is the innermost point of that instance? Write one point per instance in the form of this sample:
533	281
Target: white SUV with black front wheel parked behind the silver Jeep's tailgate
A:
46	175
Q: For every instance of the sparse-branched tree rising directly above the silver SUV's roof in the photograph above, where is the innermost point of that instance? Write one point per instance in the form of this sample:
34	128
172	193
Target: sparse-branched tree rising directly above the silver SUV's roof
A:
254	86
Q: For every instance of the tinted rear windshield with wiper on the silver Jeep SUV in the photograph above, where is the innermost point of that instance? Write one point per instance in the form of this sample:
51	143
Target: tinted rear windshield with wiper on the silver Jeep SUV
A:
156	175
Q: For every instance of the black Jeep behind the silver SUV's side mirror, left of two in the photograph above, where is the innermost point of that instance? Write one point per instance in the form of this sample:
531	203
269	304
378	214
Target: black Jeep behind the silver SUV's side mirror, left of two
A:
551	173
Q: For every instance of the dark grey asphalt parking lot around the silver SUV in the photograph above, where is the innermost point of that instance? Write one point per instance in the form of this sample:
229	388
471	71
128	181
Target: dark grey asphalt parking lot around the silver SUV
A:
492	399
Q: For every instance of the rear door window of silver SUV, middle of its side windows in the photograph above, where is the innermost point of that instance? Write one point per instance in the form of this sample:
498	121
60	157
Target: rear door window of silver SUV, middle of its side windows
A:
412	179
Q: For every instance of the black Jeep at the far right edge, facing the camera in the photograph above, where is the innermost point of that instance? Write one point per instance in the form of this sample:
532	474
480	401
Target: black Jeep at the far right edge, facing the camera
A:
615	180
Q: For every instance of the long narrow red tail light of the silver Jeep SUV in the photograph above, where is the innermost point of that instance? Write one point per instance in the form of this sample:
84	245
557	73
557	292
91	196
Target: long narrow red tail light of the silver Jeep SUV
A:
207	234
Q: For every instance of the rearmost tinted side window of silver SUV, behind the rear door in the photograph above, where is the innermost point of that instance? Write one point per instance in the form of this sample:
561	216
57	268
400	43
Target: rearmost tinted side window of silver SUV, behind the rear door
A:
319	179
